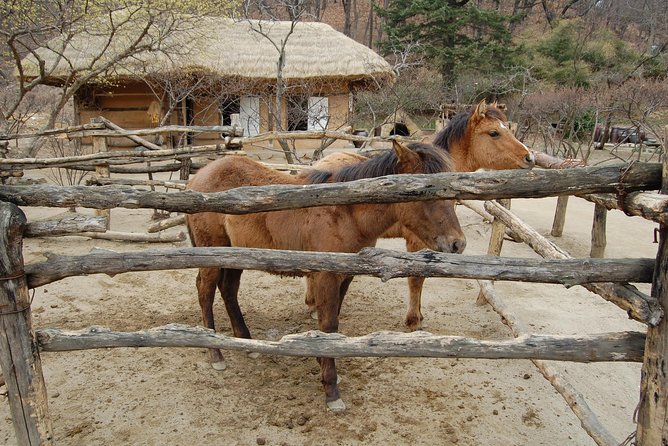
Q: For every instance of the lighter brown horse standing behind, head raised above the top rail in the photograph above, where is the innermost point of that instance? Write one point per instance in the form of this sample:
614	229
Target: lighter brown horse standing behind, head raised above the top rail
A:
477	139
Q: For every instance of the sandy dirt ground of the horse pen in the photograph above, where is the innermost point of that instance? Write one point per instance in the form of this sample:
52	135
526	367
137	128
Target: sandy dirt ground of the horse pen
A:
172	396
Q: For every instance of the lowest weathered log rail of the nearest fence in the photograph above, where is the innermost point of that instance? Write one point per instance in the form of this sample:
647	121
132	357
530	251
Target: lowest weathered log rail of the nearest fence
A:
626	346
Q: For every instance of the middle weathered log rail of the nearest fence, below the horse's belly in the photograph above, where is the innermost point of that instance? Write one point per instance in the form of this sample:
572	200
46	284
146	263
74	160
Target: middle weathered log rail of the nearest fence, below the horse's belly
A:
370	261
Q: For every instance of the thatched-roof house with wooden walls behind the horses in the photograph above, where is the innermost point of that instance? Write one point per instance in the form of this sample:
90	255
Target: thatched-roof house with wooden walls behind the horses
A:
225	68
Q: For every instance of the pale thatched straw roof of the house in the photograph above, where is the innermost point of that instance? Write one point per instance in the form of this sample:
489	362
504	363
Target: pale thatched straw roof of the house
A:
227	48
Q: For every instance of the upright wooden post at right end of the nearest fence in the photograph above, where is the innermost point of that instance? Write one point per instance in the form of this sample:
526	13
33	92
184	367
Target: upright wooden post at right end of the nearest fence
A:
652	426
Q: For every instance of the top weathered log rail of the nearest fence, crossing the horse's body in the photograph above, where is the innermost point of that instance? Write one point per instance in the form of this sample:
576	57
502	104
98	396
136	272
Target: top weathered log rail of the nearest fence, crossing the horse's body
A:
393	188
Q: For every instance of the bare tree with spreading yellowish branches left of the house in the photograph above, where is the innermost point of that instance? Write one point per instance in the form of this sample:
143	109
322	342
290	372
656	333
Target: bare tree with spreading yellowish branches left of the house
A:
38	38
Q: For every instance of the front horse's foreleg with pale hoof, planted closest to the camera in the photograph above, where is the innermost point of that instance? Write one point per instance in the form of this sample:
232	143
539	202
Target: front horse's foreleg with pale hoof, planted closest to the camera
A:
327	287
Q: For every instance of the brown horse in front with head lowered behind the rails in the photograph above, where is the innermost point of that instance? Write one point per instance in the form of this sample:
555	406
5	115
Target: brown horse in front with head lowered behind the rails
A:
344	228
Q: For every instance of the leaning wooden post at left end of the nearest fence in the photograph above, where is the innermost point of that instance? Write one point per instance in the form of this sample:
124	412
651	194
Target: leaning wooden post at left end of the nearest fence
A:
19	353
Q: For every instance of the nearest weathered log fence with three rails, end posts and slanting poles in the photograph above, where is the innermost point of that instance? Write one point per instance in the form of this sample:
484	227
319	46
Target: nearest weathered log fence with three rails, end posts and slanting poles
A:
20	344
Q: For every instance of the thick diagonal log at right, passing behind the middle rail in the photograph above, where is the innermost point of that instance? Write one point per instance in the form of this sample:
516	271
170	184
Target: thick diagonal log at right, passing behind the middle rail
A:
638	305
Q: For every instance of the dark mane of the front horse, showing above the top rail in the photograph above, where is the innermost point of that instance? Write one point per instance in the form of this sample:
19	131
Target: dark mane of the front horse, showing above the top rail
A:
433	160
